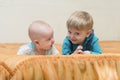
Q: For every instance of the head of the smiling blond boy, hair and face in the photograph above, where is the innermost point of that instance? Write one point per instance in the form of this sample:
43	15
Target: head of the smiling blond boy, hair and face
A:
79	26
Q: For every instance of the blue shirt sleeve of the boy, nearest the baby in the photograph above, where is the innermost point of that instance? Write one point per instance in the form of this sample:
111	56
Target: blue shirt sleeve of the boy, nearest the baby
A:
66	47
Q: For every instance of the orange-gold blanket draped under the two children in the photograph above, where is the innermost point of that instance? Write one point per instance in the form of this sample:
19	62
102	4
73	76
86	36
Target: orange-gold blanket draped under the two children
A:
76	67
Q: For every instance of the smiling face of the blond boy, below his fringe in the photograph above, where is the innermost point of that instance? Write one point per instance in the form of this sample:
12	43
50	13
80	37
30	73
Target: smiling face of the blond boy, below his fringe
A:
77	36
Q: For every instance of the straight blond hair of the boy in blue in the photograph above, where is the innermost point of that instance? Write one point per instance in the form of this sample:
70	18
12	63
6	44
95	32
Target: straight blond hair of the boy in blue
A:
80	20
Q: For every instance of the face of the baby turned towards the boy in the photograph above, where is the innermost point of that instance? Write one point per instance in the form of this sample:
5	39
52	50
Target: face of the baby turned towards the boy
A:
46	41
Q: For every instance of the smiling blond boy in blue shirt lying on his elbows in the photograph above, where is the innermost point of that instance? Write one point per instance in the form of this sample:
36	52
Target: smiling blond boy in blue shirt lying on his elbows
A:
80	38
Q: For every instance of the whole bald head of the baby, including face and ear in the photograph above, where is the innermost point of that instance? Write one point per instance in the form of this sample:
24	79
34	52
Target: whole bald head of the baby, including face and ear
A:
41	34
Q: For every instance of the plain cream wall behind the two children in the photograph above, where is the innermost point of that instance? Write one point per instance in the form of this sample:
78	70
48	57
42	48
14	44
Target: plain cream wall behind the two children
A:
16	15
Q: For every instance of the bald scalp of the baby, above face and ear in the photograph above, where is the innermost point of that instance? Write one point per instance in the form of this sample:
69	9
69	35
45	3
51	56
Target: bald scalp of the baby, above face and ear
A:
39	28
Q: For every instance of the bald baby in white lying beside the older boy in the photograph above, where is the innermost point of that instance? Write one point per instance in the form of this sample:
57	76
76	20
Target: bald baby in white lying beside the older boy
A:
42	40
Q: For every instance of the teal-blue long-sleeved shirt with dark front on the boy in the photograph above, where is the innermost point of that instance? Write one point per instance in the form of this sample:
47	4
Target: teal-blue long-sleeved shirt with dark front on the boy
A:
91	44
